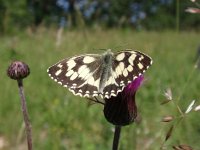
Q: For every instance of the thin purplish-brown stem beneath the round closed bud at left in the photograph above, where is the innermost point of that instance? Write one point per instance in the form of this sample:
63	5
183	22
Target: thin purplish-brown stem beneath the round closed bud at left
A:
25	115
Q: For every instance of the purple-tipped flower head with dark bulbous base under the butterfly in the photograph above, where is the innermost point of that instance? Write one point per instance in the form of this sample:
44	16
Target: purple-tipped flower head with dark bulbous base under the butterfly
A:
122	110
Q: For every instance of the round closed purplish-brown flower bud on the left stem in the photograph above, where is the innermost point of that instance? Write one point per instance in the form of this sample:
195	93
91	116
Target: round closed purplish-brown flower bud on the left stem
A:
18	70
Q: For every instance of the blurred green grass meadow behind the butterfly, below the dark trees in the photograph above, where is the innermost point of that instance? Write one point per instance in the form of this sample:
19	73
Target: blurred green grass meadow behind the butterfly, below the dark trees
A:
61	120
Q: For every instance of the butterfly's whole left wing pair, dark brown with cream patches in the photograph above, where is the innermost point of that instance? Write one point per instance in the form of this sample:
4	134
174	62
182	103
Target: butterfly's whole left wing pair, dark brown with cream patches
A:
79	74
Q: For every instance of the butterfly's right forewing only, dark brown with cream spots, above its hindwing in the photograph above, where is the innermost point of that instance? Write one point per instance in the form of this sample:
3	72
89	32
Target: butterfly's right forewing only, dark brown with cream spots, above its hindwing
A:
129	64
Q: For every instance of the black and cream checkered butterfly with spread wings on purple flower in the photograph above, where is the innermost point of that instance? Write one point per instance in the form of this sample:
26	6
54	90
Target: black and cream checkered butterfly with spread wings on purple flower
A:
93	75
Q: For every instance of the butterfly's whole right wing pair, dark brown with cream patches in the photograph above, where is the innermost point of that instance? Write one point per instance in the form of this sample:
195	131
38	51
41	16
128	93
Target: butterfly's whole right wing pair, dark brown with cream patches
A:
127	66
